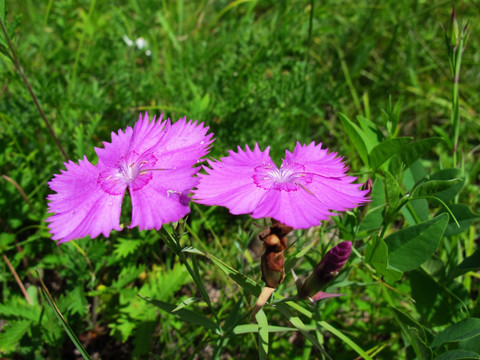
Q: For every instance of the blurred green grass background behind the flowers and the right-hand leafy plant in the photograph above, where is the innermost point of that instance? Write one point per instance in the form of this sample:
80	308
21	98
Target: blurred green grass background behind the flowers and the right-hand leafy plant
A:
272	72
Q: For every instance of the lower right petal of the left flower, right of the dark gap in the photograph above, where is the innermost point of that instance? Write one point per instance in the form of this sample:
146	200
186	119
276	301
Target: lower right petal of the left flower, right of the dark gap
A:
163	199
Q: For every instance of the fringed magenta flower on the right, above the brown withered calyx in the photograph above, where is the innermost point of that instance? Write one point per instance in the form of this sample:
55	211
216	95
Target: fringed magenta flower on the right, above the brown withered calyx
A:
310	184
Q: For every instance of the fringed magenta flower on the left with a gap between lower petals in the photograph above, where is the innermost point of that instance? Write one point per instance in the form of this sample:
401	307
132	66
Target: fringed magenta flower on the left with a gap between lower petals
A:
153	160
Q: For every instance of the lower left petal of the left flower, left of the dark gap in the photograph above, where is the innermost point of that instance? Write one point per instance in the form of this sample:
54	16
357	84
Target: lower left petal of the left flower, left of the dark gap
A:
80	205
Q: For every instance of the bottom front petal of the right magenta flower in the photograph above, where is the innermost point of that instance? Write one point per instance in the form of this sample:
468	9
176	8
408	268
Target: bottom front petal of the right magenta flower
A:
297	208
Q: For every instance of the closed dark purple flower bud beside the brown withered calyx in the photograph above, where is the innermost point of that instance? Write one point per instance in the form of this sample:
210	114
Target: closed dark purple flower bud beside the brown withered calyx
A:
326	270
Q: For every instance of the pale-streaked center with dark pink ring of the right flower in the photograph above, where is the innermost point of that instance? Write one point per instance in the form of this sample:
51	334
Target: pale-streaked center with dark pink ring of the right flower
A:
290	176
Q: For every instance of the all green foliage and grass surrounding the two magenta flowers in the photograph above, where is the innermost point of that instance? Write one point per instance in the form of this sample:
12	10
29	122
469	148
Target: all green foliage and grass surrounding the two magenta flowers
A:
371	80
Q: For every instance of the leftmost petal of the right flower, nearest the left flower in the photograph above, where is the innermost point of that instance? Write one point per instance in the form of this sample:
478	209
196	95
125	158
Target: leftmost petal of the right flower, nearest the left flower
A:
230	181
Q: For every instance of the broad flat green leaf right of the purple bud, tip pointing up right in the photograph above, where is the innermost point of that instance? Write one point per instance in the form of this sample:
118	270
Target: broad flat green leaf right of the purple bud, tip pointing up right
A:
412	246
